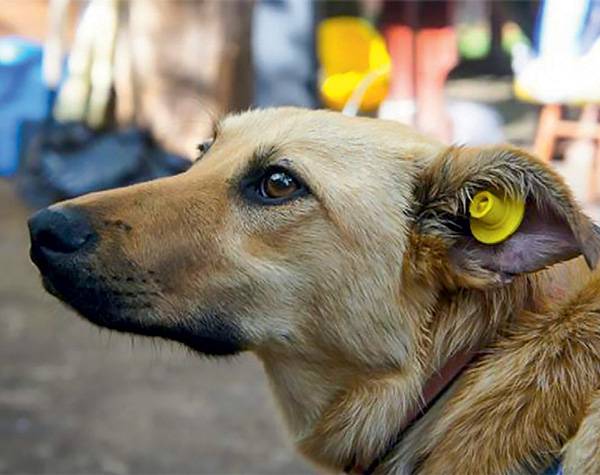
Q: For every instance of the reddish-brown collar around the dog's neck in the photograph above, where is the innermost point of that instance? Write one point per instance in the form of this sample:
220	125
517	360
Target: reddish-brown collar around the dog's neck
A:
432	392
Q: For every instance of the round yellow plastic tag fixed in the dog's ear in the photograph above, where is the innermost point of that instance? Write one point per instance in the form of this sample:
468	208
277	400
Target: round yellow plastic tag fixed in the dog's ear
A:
494	219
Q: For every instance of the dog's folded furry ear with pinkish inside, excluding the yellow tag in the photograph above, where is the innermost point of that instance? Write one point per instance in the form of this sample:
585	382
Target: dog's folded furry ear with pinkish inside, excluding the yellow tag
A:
553	229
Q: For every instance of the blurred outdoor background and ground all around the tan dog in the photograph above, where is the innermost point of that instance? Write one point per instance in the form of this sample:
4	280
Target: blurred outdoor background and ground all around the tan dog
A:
104	93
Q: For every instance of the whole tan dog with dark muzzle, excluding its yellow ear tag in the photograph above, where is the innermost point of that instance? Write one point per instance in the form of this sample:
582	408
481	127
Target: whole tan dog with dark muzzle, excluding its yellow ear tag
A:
338	250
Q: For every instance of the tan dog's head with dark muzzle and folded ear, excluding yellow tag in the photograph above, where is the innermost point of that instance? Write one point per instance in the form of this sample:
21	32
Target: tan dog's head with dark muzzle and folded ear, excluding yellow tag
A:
304	232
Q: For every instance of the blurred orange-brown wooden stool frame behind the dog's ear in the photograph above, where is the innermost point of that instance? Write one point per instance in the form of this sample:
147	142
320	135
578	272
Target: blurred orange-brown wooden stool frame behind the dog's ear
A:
552	126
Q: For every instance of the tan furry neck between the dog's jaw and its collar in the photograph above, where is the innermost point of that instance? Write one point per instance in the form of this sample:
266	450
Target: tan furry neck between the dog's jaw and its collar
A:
338	417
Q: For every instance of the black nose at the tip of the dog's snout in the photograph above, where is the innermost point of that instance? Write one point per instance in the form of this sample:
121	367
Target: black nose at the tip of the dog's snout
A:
60	229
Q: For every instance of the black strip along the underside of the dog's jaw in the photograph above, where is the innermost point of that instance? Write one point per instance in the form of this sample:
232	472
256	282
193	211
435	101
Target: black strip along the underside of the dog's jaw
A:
207	333
